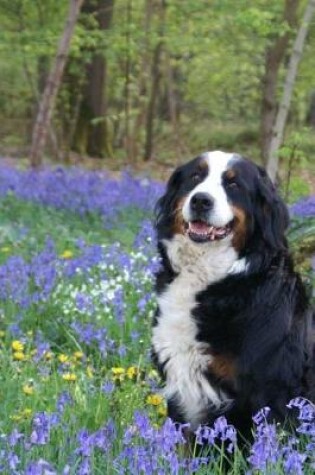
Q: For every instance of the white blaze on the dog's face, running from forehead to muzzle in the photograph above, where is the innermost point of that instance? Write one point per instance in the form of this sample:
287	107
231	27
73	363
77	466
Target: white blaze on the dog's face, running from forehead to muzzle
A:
221	214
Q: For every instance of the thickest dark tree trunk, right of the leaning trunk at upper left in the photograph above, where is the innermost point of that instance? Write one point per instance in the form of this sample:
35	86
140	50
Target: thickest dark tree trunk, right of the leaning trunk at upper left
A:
94	104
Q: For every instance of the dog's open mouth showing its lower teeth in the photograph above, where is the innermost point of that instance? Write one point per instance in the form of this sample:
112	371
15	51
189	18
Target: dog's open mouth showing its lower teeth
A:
200	231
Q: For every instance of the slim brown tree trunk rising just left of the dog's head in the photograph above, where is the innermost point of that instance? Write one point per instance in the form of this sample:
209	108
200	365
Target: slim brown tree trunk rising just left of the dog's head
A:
156	76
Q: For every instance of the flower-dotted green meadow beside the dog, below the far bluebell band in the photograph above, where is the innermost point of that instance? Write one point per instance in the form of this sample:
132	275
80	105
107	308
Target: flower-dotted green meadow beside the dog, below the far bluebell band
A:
76	305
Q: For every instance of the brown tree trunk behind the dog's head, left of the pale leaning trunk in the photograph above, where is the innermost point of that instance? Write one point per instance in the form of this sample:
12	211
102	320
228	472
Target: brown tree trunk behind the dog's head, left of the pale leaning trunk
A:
275	54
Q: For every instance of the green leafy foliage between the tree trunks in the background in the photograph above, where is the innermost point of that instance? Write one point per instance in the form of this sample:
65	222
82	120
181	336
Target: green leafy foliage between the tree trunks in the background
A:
216	52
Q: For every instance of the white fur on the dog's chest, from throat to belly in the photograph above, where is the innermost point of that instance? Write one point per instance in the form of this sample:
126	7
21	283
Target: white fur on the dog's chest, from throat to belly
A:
174	336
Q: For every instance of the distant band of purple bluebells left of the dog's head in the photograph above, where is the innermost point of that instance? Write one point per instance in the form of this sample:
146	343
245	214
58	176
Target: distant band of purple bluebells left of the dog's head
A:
81	191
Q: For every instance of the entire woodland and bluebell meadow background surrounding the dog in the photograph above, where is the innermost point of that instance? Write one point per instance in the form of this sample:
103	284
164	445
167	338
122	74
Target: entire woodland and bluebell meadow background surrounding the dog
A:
89	91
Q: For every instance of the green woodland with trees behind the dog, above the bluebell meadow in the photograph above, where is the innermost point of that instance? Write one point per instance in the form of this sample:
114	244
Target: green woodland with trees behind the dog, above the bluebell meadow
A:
150	83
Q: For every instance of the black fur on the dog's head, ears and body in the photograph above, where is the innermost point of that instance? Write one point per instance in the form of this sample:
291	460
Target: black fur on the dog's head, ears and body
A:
260	318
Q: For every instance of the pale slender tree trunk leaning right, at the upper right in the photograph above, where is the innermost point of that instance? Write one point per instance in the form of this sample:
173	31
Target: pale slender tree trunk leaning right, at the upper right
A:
273	158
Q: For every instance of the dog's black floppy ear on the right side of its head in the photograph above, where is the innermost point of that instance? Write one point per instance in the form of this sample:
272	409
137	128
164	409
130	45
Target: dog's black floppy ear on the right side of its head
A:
272	216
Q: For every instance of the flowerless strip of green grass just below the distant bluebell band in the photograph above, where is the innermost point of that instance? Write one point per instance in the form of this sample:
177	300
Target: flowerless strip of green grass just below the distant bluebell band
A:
25	227
